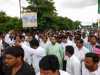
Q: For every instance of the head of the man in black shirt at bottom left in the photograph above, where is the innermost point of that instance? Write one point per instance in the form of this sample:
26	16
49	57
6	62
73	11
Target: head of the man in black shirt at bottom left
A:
13	56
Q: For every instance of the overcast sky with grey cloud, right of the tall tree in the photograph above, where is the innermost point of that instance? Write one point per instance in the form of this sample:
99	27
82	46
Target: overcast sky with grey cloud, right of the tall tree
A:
83	10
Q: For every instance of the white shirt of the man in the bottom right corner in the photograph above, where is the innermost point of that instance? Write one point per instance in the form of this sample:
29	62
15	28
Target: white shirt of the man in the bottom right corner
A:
87	72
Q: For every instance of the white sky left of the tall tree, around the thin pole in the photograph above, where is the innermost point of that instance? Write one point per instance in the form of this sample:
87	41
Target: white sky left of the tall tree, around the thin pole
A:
11	7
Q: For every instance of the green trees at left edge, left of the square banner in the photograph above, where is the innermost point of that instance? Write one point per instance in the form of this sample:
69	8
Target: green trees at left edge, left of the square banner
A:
7	23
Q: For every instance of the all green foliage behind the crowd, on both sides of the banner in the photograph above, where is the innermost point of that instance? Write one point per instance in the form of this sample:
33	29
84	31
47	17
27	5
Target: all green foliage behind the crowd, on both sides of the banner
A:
47	18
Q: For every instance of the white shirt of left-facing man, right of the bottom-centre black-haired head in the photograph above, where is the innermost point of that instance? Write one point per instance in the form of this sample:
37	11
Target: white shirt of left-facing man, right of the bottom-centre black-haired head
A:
73	66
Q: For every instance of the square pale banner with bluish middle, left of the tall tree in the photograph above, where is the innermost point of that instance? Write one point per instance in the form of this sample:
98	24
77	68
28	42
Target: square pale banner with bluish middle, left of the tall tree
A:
29	19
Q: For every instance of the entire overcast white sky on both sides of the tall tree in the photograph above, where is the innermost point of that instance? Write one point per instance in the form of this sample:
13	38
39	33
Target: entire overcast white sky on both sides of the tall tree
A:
83	10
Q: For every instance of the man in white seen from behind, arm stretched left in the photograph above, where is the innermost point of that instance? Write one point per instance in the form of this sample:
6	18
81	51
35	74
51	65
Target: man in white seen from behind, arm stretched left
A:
35	53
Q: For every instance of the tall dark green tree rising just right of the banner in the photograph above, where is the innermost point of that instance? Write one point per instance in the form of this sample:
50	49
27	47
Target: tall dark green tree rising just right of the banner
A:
45	10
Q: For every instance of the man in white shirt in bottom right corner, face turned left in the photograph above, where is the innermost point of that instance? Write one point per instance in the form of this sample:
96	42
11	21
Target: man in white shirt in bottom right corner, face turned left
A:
90	66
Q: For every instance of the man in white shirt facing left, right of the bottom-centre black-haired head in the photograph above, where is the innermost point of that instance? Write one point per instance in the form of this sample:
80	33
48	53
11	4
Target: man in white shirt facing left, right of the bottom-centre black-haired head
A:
73	64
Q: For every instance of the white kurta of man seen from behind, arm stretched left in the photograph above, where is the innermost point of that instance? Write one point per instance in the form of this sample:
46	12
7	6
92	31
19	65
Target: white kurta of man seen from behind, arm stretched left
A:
33	56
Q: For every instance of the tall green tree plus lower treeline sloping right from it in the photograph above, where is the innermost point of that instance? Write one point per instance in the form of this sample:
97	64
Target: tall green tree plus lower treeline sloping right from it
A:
47	16
